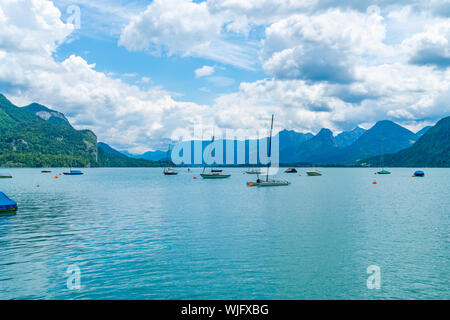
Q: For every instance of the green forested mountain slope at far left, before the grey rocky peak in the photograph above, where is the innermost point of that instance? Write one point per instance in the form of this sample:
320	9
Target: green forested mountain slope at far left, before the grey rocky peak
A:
28	140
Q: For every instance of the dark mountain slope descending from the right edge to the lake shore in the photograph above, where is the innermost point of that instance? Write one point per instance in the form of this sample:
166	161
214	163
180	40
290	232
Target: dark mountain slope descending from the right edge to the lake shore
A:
431	150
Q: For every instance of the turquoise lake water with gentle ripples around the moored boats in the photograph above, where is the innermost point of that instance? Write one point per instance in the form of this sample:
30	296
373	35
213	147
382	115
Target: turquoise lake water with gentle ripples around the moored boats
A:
137	234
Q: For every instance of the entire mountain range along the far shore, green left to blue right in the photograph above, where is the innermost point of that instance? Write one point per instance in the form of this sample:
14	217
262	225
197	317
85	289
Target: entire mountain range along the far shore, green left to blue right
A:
36	136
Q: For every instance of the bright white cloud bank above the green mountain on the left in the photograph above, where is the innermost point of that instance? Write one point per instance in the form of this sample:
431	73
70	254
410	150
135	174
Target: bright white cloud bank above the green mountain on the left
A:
121	114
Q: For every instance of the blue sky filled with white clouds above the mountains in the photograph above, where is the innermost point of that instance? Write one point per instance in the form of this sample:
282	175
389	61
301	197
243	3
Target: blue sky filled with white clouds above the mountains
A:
136	71
